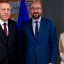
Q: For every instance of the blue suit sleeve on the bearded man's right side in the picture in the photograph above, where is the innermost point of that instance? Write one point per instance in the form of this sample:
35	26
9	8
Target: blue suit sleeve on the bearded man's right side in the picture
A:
54	43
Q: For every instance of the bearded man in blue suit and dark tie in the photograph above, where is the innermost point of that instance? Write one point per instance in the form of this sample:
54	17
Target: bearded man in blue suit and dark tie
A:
39	38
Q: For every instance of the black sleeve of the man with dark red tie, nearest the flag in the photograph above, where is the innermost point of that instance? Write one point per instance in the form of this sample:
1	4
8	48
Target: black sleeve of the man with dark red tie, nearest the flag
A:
17	43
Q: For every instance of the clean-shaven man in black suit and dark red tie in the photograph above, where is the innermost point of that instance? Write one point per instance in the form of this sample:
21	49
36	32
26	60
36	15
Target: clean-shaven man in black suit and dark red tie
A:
8	36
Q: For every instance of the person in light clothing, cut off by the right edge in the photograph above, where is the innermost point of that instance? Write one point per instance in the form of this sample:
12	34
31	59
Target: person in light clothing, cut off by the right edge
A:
61	47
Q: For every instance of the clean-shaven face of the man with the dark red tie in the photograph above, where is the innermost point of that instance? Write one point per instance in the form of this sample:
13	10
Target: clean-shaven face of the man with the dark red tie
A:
5	11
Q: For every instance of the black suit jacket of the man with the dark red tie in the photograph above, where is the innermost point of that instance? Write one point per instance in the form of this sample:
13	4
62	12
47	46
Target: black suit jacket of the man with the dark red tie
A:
9	45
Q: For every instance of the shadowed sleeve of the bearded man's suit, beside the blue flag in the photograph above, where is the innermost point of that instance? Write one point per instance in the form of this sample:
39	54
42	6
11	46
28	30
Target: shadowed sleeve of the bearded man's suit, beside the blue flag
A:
22	37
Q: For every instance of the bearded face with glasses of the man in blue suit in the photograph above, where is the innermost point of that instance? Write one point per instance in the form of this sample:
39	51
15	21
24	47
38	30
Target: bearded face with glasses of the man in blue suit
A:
36	10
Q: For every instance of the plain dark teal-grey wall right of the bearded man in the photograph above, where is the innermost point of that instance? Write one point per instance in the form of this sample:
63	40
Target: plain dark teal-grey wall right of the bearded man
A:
54	9
